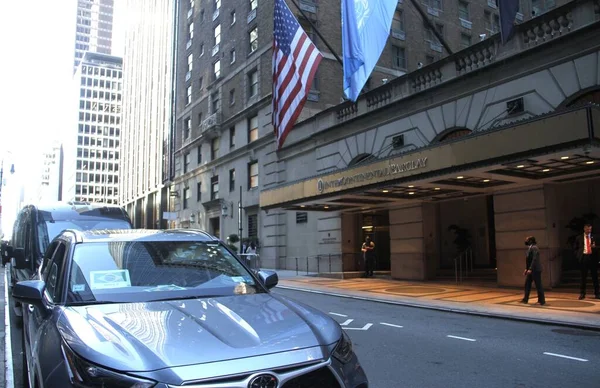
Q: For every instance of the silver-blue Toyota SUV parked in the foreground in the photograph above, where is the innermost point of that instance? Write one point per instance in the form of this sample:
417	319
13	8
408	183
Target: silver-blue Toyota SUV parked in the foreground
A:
149	308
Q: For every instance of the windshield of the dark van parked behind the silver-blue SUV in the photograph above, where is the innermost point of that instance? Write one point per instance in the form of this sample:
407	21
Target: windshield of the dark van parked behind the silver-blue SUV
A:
47	230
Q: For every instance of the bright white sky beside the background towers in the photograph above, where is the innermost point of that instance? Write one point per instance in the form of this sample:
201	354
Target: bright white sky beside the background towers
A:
37	43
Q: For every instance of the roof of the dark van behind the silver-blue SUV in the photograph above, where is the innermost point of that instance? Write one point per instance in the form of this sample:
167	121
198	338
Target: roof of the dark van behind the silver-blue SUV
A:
70	210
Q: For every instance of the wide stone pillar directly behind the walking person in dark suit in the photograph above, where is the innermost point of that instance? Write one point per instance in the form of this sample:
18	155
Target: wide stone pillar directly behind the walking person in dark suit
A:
518	214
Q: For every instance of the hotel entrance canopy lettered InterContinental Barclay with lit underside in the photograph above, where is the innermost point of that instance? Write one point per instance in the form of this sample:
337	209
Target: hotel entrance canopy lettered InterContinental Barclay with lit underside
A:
557	147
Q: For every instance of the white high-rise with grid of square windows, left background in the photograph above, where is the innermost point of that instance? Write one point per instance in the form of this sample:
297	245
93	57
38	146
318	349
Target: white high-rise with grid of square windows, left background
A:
92	152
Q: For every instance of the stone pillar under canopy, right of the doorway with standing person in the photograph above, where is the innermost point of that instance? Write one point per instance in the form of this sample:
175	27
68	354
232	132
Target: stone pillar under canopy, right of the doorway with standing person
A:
407	247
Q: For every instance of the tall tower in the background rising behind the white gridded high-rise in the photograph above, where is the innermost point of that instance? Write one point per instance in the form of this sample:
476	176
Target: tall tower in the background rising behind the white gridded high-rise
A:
94	28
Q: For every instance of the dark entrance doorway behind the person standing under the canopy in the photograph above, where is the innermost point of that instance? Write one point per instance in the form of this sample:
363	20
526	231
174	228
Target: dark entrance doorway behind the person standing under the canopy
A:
377	226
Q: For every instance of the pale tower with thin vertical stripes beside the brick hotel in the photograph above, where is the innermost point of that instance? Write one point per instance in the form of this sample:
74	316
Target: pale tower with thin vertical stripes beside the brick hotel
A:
147	118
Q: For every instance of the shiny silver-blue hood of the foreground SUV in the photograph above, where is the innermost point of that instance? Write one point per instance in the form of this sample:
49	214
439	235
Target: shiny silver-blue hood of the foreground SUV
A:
156	335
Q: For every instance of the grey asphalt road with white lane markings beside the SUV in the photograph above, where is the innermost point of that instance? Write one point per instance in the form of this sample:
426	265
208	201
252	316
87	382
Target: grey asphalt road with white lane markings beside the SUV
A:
411	347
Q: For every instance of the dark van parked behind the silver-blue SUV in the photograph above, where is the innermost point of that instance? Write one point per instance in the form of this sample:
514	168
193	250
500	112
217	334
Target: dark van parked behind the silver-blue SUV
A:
37	225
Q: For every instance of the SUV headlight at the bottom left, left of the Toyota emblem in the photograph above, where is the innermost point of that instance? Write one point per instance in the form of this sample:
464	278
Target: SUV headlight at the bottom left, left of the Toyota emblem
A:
87	375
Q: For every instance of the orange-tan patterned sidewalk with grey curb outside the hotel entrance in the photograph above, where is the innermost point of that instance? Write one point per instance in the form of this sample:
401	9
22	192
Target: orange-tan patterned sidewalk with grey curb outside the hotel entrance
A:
562	306
